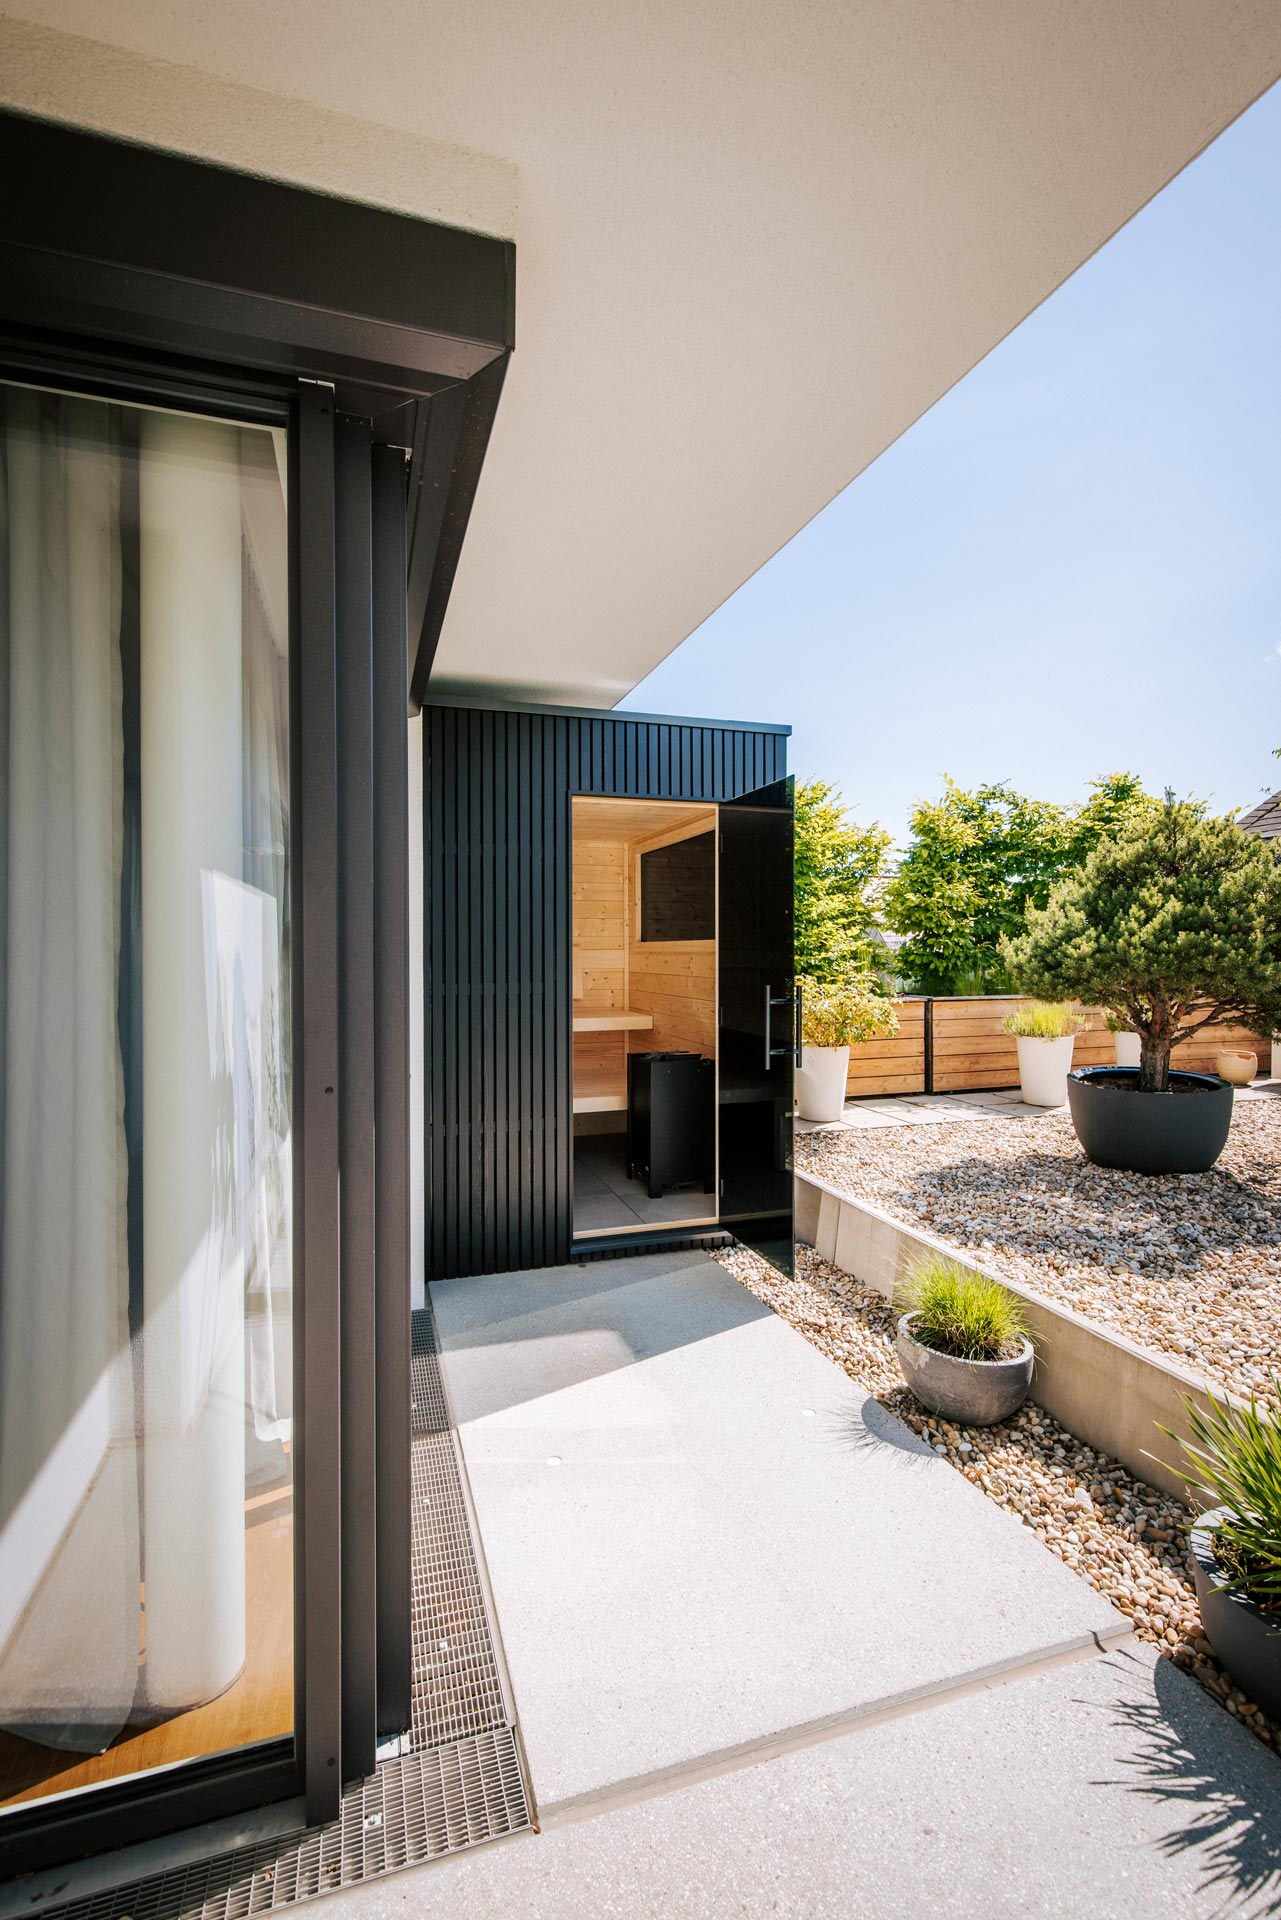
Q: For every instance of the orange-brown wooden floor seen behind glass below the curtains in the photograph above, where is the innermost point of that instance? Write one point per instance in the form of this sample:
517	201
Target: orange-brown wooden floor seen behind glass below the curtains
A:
258	1706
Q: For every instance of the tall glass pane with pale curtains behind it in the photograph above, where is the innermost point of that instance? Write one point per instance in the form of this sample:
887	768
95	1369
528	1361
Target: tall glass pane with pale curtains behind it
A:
147	1568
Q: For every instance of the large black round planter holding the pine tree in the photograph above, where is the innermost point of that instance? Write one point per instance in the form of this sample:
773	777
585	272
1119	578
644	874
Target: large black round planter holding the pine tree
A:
1149	1132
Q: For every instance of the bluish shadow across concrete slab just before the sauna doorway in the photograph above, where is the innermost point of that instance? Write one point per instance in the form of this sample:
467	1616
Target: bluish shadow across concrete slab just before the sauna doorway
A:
518	1337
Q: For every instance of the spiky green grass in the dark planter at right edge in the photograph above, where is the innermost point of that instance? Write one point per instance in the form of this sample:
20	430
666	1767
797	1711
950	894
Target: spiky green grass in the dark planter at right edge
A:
1236	1460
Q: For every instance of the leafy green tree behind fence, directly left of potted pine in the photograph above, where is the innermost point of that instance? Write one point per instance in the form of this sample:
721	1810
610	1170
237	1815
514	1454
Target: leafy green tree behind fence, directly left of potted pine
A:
979	861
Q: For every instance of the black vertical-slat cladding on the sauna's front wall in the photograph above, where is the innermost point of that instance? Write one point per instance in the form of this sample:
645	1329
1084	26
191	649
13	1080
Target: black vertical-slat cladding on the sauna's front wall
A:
496	869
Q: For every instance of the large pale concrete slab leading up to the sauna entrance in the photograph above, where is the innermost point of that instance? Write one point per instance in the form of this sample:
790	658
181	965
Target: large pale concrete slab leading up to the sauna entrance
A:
706	1539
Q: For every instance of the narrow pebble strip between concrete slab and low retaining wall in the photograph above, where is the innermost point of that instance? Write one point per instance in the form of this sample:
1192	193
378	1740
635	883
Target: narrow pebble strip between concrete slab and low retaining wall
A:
1126	1539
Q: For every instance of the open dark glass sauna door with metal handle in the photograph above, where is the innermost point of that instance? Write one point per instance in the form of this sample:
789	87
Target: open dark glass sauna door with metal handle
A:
756	1011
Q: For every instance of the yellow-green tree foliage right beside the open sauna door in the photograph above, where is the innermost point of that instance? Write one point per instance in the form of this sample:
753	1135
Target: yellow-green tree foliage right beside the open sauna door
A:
836	863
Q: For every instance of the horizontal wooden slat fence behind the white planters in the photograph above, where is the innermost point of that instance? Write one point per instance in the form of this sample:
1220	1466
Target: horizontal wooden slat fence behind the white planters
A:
965	1045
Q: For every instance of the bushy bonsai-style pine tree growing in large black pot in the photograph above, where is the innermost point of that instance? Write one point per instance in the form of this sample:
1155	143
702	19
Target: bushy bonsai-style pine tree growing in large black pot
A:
1176	924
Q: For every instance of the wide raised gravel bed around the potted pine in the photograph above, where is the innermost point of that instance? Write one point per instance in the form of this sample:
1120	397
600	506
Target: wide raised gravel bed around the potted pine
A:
1186	1264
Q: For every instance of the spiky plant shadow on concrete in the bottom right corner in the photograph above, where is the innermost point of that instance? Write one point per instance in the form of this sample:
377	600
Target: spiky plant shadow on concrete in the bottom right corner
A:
1188	1754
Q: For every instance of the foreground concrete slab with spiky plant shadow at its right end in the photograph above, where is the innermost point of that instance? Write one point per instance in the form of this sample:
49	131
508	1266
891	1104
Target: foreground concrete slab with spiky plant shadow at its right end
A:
1111	1788
